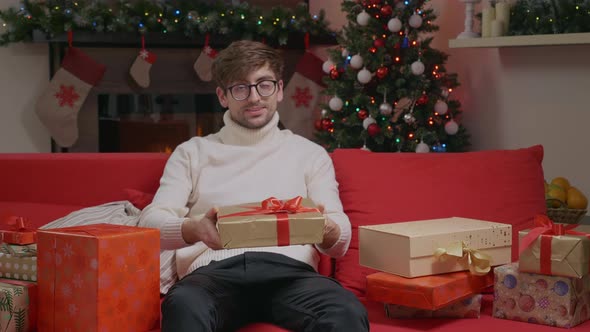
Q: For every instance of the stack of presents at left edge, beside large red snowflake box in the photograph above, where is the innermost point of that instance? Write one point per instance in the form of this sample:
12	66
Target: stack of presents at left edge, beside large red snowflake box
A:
18	275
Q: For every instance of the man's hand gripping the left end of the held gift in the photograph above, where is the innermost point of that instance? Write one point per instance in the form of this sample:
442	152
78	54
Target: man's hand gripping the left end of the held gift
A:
204	230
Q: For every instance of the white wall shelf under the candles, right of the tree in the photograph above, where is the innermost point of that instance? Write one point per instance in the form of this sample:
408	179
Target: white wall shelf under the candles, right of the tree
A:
523	41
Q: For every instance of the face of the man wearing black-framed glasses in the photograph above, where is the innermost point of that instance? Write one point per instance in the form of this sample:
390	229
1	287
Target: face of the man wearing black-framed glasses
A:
255	111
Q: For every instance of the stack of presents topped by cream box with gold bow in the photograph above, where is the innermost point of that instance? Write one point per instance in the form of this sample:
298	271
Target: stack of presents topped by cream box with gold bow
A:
433	268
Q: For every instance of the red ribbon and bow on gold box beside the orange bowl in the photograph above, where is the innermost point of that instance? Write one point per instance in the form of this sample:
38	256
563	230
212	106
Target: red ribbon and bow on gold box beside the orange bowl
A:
546	229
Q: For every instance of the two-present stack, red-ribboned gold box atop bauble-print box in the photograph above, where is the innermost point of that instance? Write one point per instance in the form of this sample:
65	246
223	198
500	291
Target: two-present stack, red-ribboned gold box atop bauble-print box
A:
550	284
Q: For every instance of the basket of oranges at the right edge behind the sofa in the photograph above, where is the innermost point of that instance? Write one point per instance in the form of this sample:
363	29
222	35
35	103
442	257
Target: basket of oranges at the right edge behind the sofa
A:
565	203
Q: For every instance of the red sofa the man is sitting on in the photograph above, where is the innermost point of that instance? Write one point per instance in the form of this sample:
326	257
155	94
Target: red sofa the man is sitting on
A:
503	186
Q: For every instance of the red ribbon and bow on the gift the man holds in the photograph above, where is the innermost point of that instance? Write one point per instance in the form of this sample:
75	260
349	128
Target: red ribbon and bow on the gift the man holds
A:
281	209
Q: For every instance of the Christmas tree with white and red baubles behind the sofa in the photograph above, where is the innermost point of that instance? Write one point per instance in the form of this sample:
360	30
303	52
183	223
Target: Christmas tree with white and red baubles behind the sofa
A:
388	89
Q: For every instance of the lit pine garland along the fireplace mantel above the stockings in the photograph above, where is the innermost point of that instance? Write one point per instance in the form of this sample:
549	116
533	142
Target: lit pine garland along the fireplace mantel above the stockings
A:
230	20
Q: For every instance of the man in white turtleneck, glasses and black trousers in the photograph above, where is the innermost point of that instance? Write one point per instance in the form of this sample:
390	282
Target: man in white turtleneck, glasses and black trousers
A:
248	160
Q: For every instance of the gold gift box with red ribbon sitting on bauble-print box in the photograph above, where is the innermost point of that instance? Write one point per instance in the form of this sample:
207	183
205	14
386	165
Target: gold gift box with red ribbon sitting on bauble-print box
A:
555	249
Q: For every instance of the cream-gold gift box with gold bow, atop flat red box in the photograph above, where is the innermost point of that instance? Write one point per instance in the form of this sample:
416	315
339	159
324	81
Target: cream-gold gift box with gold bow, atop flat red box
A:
426	247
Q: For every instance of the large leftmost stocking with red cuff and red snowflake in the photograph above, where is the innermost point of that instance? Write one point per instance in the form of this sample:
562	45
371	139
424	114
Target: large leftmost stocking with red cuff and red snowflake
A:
59	105
